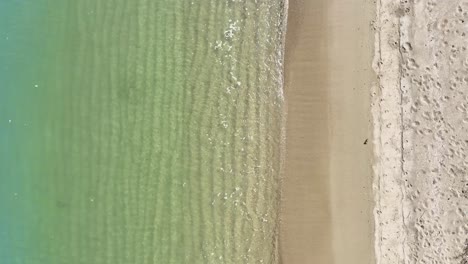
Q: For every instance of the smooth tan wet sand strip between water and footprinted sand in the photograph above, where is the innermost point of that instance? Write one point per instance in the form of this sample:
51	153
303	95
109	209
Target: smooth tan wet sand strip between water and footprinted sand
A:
326	207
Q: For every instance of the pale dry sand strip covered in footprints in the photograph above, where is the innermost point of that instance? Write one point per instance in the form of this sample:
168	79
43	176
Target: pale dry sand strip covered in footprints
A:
420	127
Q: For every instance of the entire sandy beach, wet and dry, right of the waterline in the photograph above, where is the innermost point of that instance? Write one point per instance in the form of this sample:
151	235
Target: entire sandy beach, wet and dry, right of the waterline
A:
376	164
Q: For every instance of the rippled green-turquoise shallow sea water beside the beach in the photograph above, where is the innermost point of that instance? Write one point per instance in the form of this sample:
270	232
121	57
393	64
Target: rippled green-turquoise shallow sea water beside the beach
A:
146	131
